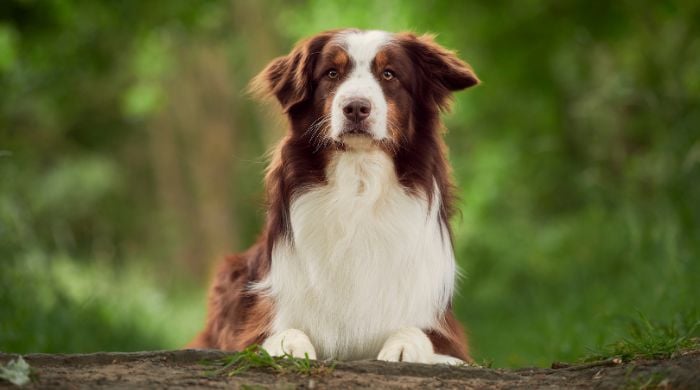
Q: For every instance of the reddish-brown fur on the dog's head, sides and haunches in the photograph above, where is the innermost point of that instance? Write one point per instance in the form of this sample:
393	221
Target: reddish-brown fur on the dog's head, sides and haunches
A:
428	74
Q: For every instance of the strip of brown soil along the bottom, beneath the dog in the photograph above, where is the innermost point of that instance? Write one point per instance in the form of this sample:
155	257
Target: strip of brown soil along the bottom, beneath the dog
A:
185	369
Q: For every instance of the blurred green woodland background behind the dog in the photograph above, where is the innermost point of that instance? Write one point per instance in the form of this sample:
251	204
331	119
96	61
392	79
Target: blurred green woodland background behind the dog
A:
131	160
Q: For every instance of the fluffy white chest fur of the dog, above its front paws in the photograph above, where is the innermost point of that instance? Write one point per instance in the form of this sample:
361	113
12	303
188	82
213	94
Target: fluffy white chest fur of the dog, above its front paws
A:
366	259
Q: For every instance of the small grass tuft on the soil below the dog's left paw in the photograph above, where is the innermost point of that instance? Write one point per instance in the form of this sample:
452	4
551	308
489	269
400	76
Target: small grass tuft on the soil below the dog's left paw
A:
256	357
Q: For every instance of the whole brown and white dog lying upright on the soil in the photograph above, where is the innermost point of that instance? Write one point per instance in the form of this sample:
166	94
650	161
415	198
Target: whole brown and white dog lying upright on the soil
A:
356	259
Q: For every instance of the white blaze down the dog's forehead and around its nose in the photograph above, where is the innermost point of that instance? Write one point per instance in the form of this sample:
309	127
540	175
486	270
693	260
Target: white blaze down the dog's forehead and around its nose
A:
361	47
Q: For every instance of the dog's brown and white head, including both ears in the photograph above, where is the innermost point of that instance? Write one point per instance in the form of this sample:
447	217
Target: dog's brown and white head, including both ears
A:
355	89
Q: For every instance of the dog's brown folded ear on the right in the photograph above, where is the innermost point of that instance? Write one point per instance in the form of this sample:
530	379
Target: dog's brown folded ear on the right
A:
441	71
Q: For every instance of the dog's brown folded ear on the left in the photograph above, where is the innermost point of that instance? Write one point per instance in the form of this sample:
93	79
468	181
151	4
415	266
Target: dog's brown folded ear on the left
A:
290	78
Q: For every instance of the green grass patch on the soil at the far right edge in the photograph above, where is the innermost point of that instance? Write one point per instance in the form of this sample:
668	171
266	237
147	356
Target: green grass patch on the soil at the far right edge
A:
653	340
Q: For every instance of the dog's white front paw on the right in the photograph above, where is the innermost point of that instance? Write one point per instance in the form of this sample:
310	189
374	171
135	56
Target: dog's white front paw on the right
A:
407	345
